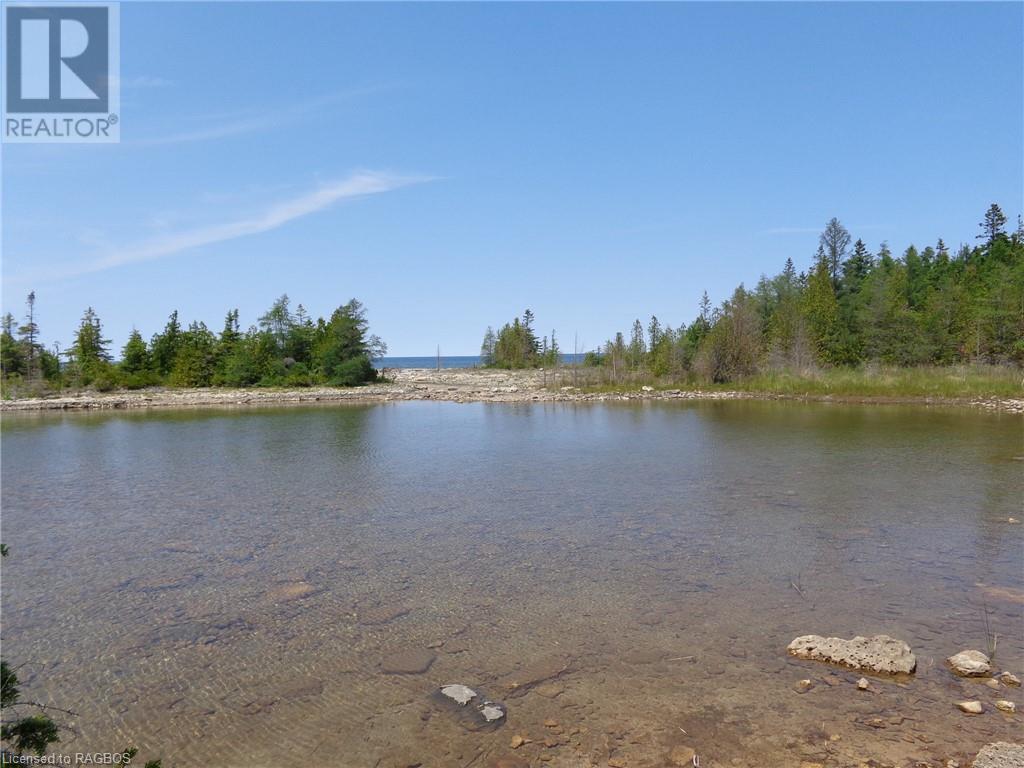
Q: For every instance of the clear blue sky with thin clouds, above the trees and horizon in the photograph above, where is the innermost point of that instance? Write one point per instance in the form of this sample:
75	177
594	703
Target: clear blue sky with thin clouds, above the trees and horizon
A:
451	165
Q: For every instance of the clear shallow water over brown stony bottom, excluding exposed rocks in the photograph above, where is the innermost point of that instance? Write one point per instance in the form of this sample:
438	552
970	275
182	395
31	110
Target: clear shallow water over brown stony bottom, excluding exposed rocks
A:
224	588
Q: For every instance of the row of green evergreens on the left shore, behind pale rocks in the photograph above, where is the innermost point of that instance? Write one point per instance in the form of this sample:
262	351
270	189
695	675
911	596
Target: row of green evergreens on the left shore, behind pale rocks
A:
285	349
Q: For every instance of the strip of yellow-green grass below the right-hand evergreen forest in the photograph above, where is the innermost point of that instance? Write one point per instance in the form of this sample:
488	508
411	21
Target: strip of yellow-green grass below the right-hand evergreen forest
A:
952	382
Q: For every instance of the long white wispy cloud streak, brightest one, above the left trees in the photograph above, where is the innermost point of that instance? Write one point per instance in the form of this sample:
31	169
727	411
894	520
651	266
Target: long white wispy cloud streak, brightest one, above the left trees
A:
359	185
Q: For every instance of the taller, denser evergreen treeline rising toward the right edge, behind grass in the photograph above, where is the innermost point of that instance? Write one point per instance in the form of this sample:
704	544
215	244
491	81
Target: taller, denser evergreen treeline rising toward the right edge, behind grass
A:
851	308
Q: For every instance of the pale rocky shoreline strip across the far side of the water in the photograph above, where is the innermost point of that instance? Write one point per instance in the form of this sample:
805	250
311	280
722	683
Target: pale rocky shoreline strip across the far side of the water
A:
453	386
